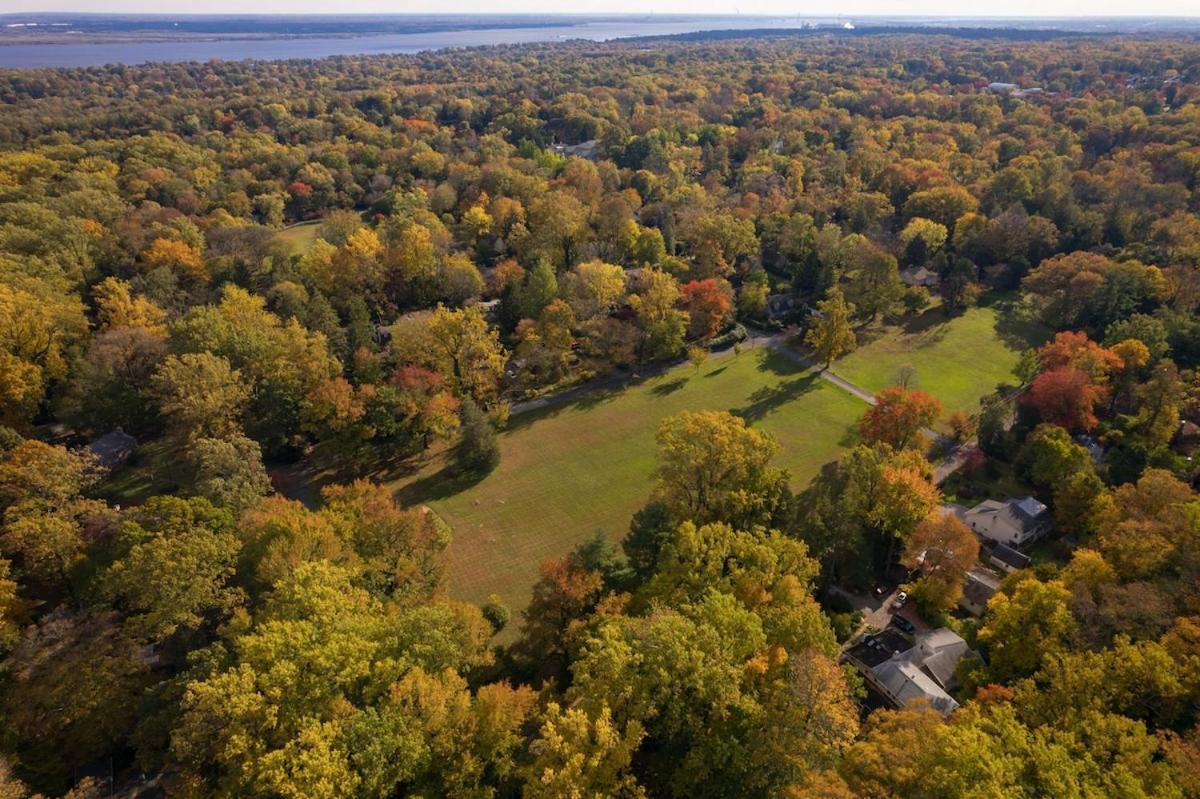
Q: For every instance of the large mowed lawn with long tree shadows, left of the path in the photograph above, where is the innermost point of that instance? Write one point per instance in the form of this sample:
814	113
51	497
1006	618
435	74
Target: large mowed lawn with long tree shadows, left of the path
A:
587	466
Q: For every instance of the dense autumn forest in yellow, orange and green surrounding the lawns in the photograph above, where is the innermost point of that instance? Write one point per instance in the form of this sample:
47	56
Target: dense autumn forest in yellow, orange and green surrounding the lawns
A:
253	269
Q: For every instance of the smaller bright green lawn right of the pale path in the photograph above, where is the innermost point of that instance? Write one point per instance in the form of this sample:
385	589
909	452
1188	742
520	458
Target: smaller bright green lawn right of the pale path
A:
957	359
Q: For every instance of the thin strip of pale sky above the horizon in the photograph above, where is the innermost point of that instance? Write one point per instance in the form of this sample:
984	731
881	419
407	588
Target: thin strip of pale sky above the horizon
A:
770	8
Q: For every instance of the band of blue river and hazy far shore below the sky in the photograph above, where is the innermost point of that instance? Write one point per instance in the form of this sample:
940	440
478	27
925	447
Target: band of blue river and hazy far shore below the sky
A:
81	41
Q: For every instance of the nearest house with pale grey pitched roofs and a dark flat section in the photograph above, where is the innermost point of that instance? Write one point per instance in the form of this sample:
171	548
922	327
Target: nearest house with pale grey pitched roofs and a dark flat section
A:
908	674
